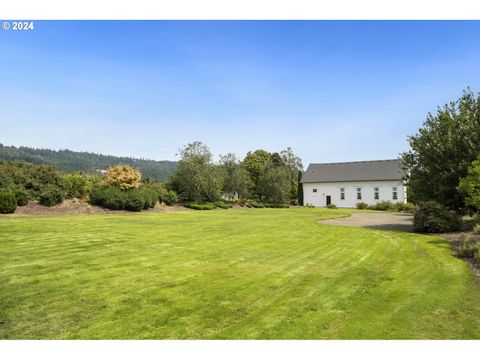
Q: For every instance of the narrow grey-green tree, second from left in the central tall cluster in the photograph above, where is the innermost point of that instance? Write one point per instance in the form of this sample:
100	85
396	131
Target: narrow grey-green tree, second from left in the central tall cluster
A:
236	181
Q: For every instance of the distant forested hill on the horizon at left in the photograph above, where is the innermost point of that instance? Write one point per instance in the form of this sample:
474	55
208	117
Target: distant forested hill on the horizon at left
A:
69	161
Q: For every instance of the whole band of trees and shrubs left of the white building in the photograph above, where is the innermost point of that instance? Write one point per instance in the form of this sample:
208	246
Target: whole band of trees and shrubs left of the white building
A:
263	178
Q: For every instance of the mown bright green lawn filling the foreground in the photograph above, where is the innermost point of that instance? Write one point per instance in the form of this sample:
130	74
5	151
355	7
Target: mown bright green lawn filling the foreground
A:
229	274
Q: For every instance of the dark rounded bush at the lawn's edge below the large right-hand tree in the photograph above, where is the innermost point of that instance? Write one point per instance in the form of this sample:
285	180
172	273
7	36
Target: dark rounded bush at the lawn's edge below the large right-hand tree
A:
433	217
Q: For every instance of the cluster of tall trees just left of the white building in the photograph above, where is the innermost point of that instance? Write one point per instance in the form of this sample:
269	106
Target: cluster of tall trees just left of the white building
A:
266	177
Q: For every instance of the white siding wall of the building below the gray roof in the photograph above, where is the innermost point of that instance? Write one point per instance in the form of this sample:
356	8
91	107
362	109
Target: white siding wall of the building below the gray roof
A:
333	189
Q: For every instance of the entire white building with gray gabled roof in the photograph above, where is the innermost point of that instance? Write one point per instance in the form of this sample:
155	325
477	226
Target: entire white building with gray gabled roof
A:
346	184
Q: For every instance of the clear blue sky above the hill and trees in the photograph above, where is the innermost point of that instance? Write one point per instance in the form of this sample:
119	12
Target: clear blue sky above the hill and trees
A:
332	90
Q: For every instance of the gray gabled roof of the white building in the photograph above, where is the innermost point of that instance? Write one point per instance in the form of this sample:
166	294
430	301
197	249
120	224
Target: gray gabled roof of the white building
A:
354	171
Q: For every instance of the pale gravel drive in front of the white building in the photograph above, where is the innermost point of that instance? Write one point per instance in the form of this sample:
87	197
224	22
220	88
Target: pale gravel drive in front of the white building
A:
380	220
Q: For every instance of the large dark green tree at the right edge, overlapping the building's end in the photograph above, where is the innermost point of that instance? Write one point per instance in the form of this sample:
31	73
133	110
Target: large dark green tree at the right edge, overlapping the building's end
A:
442	151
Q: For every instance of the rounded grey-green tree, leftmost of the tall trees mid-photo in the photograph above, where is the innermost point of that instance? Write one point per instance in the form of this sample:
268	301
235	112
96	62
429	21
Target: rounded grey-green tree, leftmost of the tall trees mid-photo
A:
197	178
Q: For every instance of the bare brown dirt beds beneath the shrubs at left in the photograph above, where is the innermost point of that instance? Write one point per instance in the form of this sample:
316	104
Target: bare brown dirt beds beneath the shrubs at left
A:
76	206
